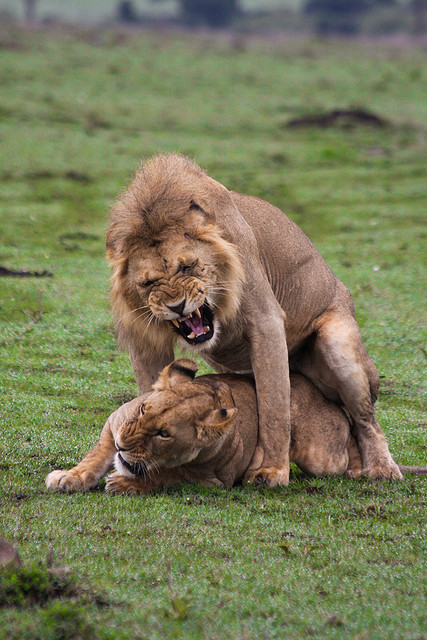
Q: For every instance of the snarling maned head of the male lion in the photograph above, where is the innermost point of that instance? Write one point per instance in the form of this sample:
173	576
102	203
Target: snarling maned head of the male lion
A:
175	276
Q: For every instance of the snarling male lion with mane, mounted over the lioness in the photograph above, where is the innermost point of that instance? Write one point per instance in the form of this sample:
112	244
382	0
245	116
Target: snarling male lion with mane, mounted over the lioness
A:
233	278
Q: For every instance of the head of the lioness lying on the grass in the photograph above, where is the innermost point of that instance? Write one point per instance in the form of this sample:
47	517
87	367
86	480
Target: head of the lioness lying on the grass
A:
175	422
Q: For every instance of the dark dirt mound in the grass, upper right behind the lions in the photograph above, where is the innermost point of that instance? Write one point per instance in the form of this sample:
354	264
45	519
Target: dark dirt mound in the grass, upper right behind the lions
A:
346	118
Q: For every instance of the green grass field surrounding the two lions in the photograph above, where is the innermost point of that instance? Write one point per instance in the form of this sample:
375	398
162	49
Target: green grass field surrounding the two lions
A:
324	558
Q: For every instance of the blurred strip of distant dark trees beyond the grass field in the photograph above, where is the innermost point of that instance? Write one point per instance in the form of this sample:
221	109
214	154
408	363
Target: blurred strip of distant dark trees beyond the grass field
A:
345	17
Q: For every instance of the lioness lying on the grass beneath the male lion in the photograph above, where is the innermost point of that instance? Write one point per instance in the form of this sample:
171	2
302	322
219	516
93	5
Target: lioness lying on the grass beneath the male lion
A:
205	430
